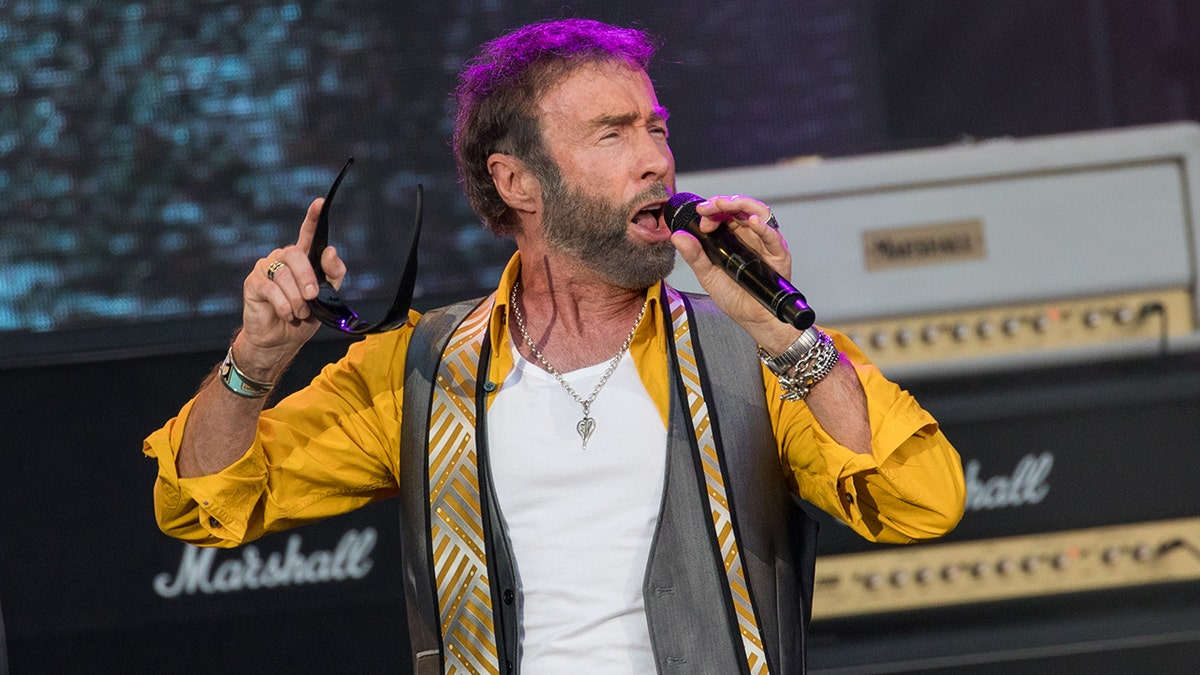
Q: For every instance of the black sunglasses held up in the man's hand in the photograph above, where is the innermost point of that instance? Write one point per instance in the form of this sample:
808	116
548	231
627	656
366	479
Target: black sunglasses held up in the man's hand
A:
329	308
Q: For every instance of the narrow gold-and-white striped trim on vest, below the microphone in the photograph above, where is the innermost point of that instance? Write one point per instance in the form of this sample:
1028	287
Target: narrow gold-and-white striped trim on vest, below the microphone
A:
718	498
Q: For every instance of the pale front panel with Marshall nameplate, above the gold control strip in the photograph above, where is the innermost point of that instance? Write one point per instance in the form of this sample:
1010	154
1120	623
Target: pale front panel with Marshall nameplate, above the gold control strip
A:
1041	236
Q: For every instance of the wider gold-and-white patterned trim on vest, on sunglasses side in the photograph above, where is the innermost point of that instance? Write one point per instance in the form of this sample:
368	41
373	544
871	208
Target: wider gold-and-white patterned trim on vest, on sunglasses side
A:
457	530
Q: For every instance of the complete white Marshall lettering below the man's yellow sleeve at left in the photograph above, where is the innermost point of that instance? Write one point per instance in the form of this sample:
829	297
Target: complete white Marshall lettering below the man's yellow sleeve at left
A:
351	559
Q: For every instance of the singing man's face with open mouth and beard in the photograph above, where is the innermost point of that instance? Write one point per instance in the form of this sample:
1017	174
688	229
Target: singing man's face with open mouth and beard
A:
611	175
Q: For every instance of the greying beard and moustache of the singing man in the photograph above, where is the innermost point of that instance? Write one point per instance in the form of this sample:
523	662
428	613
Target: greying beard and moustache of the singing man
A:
597	234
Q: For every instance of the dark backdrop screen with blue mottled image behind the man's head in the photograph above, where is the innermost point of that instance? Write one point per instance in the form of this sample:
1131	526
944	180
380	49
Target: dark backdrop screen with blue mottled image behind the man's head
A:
152	152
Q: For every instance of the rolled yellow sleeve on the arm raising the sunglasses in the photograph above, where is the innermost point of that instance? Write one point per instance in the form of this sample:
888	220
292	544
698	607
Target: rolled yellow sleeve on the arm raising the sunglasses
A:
327	450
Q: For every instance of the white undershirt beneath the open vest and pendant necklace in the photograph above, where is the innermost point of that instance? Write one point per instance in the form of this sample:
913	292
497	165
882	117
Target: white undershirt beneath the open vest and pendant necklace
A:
580	522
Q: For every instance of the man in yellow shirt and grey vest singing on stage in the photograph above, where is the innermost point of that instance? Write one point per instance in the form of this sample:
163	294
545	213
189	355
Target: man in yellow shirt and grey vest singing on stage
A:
597	474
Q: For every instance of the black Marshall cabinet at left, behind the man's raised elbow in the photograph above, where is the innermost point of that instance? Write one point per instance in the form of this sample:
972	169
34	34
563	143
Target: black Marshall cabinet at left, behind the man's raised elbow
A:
91	586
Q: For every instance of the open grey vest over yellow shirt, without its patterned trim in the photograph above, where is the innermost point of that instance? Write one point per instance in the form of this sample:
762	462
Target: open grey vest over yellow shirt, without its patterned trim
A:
692	623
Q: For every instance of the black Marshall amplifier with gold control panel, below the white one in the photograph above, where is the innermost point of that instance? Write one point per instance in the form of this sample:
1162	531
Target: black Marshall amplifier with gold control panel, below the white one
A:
1081	547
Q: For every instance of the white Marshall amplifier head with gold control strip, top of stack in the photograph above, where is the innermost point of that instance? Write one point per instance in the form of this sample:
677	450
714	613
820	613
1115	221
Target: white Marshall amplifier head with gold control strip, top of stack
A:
993	255
